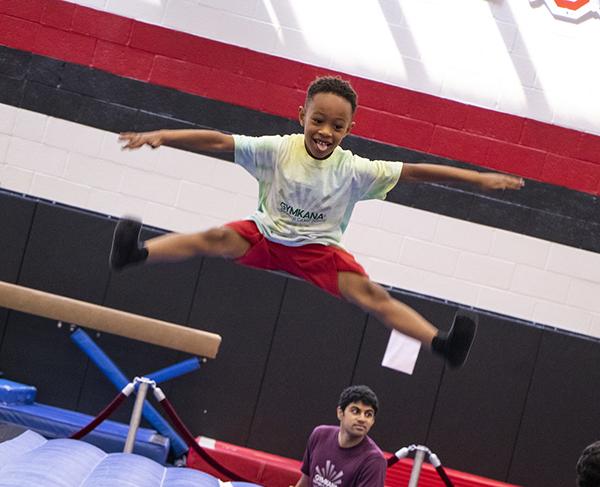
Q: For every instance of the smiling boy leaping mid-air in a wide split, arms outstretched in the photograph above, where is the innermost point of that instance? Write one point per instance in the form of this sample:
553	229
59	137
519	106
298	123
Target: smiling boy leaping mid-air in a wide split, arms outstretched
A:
308	187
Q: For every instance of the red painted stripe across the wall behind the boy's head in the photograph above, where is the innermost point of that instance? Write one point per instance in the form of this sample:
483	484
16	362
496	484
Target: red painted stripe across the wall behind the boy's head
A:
236	75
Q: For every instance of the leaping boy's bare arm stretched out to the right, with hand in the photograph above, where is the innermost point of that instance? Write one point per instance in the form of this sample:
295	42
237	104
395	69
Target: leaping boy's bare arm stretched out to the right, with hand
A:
449	174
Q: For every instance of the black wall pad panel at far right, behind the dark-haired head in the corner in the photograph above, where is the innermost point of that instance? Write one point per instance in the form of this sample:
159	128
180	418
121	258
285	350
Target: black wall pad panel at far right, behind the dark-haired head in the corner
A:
561	414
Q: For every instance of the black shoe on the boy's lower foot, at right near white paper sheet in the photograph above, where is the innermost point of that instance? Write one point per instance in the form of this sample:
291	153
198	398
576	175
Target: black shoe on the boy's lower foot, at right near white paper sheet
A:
455	345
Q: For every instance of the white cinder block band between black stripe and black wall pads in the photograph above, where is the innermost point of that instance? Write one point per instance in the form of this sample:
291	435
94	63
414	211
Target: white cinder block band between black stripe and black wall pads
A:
399	246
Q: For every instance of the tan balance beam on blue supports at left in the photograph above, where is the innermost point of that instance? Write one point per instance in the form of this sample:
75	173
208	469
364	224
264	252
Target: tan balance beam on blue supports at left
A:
129	325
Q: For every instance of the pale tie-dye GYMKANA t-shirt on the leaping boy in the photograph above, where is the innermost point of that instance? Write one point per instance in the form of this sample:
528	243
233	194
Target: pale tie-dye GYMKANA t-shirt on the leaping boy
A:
303	200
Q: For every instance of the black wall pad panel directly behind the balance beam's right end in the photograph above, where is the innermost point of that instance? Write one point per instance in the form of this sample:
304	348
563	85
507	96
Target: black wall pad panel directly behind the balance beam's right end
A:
242	305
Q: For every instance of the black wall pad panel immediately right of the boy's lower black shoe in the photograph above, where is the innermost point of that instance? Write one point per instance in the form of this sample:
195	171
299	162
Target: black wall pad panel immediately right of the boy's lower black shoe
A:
479	408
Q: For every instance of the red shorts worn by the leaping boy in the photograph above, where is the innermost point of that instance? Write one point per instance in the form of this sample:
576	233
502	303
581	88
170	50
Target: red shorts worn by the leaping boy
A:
315	263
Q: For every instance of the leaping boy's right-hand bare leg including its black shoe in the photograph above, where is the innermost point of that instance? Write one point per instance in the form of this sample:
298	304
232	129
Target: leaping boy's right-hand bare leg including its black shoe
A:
372	298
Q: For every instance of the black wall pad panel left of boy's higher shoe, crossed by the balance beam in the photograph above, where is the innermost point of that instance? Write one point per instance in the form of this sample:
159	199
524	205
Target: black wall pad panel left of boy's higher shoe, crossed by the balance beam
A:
65	254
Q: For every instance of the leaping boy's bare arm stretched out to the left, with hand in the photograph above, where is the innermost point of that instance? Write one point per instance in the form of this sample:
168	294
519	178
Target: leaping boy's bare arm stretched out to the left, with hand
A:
200	140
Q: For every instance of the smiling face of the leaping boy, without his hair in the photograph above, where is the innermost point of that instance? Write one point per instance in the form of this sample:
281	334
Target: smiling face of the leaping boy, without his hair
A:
327	119
